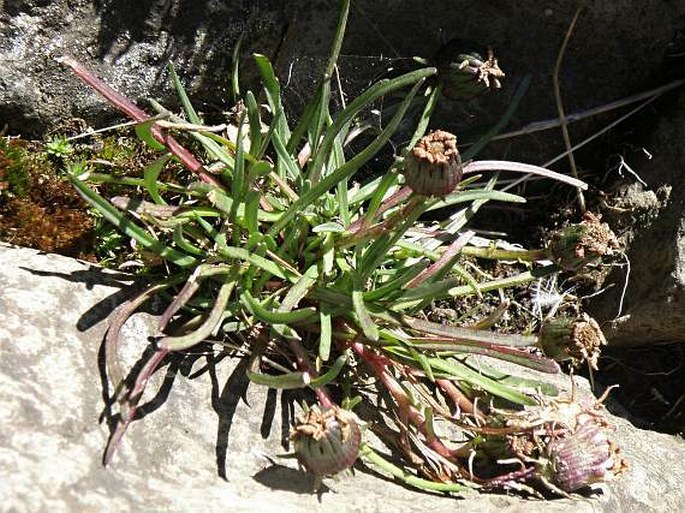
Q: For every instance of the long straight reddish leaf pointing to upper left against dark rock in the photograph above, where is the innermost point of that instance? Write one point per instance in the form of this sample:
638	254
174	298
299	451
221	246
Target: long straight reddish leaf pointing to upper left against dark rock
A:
136	113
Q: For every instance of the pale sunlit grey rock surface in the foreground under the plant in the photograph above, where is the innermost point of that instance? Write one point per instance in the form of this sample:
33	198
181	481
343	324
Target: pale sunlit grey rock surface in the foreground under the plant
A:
205	423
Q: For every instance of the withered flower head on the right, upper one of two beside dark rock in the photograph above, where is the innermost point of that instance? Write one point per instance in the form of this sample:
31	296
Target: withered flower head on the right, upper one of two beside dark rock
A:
580	244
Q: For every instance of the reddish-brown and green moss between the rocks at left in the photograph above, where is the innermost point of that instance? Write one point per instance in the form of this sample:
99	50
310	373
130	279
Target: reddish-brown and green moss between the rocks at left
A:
40	209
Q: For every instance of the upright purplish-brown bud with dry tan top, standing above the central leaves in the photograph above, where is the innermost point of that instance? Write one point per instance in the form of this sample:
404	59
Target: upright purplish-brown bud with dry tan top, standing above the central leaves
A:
433	166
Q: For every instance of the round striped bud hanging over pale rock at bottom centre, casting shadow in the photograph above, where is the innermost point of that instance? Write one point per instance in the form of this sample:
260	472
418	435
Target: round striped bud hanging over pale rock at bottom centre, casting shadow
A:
326	442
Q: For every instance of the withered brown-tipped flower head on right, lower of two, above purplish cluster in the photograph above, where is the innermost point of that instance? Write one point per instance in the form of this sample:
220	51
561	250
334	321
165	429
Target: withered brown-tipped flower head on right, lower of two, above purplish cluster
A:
578	339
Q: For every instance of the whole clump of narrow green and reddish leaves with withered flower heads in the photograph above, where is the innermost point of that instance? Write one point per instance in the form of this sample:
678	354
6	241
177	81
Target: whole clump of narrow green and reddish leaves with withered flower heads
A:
323	282
